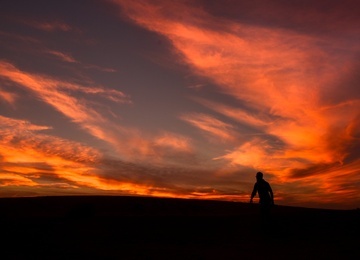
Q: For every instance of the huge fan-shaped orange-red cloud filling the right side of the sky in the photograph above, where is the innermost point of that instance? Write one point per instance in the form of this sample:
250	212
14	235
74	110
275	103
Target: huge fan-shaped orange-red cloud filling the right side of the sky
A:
289	77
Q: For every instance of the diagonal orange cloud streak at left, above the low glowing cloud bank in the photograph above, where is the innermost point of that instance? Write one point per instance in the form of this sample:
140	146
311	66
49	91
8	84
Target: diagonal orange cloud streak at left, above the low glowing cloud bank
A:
71	100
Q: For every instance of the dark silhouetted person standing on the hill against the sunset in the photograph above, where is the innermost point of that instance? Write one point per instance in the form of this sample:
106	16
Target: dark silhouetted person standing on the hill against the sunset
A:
266	196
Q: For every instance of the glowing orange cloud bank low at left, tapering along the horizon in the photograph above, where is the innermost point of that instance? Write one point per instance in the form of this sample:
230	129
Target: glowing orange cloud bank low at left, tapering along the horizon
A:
29	157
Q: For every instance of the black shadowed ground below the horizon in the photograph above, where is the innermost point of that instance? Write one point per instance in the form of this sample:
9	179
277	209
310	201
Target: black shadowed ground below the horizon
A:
153	228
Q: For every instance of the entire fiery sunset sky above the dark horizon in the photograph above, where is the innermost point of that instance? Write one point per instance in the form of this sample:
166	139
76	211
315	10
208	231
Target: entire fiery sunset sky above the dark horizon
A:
182	99
